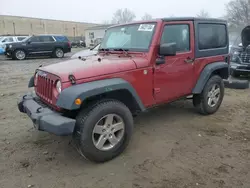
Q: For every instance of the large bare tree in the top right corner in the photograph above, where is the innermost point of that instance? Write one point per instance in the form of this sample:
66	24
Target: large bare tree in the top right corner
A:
238	13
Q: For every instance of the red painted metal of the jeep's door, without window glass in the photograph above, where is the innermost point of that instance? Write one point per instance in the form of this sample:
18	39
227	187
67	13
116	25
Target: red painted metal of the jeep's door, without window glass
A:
175	77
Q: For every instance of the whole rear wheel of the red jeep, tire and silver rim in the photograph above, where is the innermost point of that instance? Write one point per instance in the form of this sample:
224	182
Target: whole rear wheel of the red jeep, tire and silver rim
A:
209	101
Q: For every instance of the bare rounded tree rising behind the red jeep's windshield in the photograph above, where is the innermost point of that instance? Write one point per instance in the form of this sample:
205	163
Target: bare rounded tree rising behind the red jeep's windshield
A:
123	16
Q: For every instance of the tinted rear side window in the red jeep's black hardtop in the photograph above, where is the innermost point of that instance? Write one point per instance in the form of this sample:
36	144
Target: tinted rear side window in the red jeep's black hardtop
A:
212	36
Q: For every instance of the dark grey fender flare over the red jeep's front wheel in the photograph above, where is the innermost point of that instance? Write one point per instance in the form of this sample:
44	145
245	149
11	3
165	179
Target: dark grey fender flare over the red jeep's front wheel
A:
67	97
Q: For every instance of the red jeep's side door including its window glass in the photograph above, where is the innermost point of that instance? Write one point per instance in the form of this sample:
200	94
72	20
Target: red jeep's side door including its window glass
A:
174	78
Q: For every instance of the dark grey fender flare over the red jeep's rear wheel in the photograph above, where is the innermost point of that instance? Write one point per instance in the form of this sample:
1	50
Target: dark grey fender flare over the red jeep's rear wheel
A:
206	73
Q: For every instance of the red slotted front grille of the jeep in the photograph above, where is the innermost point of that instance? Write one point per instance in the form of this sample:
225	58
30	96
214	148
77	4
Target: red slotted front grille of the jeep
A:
44	88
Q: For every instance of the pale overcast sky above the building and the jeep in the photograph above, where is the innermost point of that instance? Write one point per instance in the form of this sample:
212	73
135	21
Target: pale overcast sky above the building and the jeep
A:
101	10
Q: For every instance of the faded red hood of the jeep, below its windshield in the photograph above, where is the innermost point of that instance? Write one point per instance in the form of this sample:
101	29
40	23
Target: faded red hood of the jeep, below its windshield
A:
93	66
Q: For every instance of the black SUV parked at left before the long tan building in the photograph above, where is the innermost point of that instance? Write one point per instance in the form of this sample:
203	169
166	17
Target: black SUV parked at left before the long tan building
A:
40	45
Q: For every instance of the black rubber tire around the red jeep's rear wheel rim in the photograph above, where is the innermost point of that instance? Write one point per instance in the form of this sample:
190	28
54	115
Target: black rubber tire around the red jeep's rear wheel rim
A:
200	100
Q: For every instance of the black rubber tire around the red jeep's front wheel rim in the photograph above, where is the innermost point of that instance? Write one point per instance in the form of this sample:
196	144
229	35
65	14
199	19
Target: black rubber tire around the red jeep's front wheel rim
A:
85	122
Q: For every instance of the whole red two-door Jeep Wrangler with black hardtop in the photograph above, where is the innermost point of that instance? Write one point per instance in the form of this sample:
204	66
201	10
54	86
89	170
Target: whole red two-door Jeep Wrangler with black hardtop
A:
139	65
